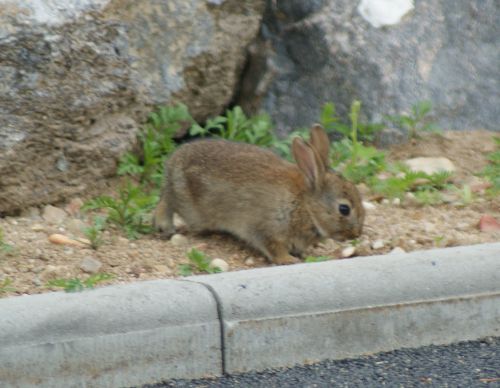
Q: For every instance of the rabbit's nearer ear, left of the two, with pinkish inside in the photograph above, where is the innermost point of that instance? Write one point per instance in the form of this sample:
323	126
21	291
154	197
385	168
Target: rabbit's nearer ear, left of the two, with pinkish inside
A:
309	162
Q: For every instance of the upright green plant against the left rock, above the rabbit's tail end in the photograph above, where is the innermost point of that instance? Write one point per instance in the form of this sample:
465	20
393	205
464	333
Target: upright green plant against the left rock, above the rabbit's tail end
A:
156	143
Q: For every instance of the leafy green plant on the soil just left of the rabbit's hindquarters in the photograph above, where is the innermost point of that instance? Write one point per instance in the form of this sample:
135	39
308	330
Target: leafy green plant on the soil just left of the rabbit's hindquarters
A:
130	211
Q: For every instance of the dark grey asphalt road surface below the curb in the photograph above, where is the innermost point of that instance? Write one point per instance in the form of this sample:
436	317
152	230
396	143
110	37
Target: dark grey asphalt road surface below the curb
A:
466	364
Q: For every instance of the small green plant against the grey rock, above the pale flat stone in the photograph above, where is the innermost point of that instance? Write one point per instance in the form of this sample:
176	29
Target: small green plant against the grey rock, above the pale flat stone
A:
419	119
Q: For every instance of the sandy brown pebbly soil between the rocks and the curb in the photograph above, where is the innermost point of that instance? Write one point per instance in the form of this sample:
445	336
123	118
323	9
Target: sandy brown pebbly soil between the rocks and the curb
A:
33	259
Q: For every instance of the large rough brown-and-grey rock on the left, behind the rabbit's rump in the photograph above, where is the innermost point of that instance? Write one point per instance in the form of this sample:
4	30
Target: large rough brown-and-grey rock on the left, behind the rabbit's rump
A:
75	78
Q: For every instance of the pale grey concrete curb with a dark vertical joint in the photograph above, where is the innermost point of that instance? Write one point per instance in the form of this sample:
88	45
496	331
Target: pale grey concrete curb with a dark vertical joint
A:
249	320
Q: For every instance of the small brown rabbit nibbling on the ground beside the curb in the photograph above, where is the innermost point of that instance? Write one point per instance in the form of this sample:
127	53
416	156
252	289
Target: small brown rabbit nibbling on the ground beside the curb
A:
275	206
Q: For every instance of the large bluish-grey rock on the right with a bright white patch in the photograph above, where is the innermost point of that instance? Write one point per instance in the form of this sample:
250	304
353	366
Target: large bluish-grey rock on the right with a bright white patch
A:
388	56
